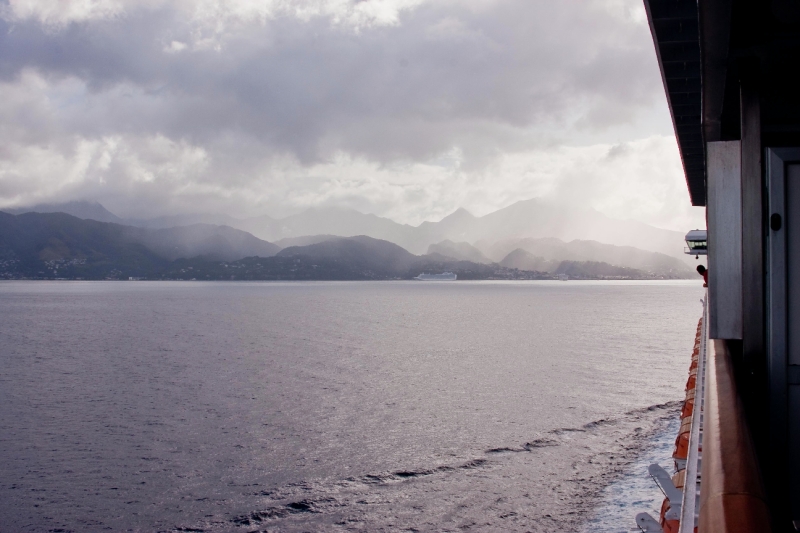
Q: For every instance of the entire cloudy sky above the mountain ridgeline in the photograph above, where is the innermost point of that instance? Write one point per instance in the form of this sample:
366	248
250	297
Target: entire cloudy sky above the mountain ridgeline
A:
407	109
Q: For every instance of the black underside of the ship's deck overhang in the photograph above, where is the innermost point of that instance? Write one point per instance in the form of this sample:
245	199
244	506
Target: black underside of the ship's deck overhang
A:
704	49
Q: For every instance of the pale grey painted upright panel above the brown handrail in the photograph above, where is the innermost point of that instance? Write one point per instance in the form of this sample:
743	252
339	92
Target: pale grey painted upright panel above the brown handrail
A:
724	239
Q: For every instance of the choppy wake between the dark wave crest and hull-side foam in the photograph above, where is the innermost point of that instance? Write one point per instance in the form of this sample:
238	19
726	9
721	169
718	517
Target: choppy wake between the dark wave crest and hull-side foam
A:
552	483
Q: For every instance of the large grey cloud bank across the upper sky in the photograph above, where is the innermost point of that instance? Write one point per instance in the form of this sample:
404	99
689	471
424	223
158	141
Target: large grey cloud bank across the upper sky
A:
479	76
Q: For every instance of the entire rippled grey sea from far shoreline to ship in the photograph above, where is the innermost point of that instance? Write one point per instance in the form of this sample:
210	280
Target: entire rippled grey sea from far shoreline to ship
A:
385	406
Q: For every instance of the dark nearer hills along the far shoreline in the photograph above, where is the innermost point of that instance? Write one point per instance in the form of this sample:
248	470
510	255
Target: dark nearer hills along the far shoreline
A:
57	245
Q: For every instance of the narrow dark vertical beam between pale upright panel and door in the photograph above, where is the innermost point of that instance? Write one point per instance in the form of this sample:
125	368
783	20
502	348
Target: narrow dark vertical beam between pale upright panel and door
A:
752	230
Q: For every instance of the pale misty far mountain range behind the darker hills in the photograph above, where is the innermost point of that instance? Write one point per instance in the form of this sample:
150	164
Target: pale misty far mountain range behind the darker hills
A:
531	219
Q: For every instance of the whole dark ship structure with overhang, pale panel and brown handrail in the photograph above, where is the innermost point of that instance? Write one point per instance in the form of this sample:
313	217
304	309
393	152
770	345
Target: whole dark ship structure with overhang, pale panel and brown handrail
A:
728	69
